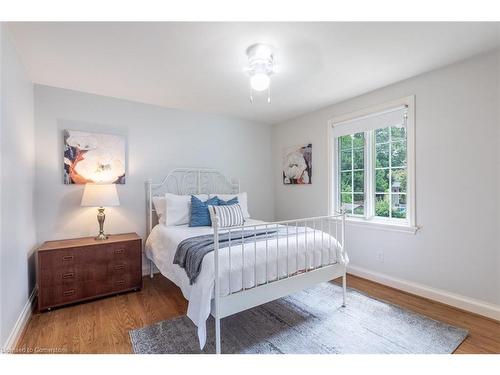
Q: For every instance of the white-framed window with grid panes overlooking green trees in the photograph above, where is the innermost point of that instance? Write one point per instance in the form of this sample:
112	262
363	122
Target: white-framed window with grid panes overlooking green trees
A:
372	164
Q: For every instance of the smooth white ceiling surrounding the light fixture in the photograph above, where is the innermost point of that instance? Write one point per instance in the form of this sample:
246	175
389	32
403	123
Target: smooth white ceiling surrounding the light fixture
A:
199	66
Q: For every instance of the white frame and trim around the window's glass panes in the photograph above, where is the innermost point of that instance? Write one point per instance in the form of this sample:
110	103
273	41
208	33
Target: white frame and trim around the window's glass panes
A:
405	225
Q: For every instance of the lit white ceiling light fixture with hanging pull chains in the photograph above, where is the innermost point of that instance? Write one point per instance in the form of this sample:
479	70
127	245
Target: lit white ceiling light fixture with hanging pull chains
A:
260	68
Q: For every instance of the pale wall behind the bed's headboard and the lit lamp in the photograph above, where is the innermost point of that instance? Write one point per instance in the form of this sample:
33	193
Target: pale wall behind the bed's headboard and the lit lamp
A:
159	140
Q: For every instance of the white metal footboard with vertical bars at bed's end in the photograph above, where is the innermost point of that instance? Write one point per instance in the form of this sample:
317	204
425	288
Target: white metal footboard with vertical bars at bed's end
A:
305	265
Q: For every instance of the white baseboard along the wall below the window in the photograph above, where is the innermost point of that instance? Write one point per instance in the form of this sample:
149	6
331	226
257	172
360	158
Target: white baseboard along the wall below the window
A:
456	300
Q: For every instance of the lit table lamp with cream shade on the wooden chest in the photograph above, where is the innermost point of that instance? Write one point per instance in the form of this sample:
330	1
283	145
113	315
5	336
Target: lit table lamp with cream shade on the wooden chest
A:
100	195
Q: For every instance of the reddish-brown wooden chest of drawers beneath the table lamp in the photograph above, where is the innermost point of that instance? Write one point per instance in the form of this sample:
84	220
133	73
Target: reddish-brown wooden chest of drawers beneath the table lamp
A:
76	270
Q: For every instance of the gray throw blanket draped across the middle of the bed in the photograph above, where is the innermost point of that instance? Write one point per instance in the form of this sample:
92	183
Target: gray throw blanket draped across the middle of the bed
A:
190	252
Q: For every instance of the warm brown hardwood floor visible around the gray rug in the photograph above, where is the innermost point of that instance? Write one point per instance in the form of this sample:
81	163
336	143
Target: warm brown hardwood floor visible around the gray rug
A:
102	326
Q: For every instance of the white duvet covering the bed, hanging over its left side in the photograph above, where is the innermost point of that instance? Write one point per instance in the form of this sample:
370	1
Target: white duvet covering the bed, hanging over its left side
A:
162	243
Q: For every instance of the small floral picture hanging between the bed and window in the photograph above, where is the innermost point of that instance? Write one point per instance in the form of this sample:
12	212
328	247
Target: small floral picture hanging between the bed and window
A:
297	165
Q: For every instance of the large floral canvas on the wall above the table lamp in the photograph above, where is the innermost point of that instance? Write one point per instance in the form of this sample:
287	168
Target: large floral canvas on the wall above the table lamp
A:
93	158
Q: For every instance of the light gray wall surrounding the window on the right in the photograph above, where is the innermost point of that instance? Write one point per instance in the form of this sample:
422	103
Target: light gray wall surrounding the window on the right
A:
457	143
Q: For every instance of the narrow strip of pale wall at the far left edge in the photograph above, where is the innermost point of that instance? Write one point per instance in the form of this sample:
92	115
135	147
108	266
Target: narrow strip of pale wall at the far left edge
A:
17	153
